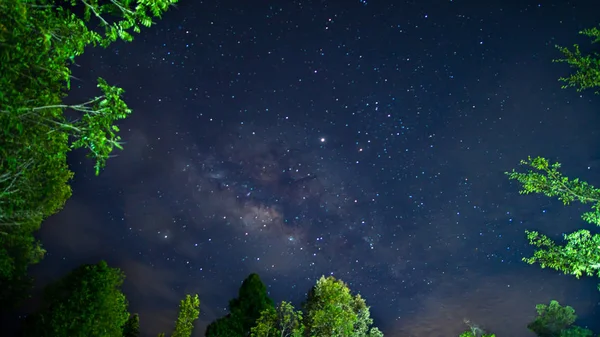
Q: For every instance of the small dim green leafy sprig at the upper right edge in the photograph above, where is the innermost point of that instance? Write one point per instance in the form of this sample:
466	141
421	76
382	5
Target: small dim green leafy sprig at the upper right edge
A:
587	66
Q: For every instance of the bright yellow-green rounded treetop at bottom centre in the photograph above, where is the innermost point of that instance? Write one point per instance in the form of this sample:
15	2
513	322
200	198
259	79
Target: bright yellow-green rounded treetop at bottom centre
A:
331	310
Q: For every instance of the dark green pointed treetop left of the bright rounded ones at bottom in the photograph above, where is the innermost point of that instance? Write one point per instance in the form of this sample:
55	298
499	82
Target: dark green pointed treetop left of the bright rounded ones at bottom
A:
244	310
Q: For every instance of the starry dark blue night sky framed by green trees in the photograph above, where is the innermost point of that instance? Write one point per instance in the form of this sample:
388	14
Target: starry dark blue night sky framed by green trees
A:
361	139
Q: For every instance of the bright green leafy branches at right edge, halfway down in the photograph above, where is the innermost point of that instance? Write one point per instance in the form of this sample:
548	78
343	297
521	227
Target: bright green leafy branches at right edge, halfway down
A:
580	255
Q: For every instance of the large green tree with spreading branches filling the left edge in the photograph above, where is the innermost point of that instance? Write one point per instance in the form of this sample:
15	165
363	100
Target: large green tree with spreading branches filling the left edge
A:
39	39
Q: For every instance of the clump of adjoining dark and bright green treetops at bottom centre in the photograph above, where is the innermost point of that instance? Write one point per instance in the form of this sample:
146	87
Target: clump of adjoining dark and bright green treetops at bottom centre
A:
330	311
